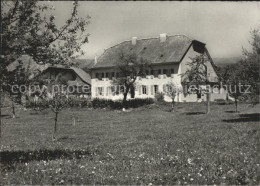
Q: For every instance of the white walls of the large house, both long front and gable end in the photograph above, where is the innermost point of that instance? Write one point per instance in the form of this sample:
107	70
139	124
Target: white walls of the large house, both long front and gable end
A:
146	86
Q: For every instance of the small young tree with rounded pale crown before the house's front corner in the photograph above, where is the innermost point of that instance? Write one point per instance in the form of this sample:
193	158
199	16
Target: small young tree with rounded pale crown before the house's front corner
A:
172	90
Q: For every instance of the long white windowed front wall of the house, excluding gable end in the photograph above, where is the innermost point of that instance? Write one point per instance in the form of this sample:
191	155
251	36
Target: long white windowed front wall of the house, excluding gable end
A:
146	87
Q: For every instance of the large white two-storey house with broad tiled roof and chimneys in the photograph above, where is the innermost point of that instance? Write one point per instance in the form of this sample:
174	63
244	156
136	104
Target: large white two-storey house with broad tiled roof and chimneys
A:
168	55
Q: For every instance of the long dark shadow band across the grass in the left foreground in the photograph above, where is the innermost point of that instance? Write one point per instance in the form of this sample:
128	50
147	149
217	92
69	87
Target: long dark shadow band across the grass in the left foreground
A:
11	157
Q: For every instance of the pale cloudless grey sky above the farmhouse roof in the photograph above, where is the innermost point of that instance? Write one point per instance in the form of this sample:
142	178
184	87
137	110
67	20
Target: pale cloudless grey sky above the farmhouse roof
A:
223	26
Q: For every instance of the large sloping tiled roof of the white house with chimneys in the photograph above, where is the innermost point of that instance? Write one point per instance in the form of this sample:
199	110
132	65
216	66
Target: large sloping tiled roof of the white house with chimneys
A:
172	50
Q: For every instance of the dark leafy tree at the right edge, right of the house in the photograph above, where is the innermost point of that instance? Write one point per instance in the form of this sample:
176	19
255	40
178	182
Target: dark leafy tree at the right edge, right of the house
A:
244	73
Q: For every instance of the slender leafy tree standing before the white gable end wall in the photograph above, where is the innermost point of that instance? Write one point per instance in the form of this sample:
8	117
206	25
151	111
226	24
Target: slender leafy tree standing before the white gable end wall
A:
197	74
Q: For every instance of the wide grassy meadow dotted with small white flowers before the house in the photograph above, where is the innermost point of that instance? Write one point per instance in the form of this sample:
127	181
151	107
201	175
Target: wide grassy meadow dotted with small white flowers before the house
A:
147	145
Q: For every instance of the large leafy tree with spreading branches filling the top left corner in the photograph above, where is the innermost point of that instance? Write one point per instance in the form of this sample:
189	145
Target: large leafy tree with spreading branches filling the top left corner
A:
29	27
